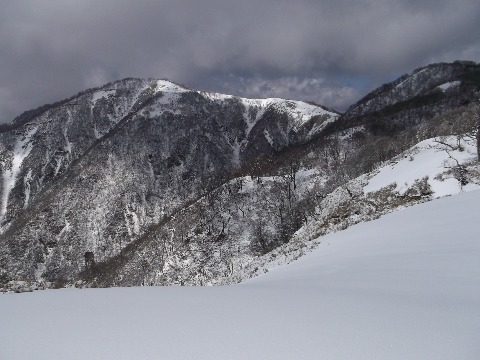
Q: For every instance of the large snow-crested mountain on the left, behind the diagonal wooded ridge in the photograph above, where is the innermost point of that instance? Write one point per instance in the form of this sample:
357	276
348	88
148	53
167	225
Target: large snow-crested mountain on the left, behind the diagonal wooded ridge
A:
101	170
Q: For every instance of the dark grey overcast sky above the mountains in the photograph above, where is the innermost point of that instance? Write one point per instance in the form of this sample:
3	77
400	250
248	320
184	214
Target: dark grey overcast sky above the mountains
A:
328	51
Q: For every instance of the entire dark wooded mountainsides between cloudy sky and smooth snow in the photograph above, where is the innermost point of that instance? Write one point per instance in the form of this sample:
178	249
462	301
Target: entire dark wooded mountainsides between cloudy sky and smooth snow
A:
150	182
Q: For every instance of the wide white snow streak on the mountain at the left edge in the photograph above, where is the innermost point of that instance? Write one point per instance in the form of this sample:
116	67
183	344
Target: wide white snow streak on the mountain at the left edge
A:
22	148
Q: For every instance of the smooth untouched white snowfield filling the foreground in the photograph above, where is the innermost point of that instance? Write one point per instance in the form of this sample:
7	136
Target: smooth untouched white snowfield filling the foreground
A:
405	286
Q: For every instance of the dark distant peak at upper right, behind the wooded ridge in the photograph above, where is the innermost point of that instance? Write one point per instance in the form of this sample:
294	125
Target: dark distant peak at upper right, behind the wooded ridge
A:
415	98
